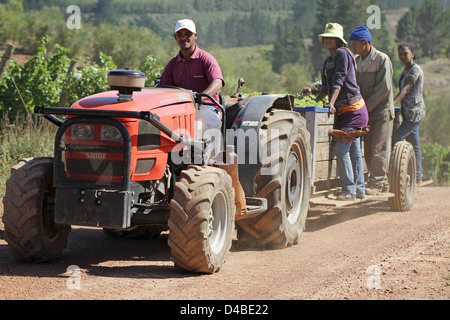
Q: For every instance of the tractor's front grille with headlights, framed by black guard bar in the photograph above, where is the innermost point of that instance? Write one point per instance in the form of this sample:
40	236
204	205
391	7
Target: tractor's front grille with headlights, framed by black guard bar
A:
88	158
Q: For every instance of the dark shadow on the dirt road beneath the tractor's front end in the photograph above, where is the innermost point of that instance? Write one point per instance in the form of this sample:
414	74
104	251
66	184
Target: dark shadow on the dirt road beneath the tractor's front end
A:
100	255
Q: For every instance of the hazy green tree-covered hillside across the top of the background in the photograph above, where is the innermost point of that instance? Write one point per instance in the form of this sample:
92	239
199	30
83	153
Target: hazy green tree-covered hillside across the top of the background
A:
288	25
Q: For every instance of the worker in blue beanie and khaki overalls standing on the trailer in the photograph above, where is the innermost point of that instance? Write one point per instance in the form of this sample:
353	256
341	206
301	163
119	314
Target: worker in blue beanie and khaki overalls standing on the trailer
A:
374	77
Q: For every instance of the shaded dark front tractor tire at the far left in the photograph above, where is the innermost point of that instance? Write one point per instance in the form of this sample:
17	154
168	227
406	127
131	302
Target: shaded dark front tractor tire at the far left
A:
28	216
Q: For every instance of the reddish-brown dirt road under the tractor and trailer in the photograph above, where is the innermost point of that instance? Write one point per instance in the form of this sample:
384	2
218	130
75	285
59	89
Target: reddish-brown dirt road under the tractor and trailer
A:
365	252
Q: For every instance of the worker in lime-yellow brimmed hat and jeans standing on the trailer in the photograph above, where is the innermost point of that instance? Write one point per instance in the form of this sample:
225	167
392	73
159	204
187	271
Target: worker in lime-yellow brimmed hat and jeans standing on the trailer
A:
339	83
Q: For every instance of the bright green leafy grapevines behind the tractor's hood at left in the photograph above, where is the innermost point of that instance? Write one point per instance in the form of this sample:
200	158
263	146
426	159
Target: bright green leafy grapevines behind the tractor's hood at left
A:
41	81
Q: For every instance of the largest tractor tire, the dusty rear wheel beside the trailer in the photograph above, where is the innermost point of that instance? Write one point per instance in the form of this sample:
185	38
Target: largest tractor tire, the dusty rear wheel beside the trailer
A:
283	179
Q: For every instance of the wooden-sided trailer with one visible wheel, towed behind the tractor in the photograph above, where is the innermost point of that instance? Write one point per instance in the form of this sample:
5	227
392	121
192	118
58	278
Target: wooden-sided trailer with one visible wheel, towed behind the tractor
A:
324	172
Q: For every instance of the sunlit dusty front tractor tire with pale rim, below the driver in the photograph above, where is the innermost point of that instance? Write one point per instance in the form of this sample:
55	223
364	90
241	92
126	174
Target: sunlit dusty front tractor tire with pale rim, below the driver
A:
201	221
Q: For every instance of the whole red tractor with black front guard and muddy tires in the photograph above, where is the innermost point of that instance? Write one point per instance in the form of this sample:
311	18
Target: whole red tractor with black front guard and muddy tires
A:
134	159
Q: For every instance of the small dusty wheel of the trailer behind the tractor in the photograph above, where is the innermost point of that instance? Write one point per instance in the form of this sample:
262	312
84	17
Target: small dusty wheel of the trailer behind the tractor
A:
402	176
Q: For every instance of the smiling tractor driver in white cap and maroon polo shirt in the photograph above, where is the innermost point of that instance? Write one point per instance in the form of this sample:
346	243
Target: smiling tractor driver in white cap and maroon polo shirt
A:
197	70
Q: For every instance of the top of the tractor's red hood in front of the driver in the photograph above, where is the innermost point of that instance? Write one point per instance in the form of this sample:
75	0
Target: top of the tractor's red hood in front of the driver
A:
149	99
